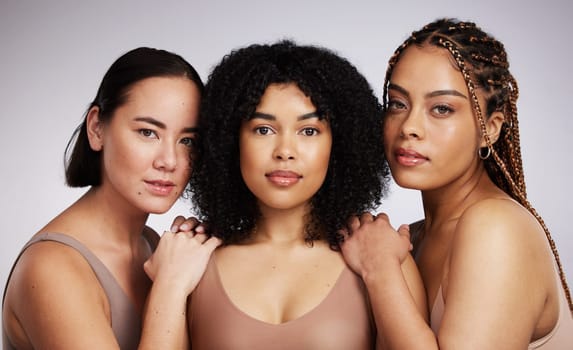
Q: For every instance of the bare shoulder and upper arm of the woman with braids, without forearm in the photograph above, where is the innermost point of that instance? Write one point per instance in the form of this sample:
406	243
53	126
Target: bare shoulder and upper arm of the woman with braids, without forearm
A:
501	275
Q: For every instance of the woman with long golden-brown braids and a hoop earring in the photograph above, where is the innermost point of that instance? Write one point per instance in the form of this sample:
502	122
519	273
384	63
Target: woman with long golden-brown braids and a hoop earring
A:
490	267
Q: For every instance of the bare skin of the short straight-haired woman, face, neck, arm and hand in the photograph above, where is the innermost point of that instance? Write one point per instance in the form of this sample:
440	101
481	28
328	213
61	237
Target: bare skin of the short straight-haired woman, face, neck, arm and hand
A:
54	300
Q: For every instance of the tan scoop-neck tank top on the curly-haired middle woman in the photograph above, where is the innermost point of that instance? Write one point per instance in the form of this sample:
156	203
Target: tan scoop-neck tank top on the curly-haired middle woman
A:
341	321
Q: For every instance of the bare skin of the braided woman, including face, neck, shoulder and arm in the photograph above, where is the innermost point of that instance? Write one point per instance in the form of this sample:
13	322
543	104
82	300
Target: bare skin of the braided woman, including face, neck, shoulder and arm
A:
488	254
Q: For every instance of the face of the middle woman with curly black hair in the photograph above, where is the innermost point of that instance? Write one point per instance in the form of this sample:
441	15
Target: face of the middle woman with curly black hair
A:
284	149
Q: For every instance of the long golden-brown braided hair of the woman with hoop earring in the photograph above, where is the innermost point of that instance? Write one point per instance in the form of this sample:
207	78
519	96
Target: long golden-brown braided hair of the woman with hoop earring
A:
482	61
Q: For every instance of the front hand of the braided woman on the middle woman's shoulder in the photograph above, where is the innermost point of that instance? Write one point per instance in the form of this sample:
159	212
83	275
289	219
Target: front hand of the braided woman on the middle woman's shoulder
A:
371	243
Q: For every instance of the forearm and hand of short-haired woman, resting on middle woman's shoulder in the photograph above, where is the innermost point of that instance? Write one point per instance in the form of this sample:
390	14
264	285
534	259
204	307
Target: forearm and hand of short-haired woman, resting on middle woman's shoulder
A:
175	268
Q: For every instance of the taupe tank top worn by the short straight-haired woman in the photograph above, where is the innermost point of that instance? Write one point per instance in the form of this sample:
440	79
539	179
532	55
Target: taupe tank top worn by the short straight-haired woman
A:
125	320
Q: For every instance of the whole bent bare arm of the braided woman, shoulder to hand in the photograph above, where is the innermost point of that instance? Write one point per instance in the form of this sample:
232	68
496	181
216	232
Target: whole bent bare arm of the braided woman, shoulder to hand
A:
499	272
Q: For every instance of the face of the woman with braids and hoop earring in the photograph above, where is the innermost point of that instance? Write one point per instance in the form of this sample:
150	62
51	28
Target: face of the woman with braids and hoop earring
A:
430	131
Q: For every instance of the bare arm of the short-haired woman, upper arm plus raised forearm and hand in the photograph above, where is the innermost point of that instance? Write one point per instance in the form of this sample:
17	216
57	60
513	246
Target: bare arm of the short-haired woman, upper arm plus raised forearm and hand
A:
56	302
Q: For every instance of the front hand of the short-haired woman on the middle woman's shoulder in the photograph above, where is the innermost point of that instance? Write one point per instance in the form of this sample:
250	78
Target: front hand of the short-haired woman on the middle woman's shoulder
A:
181	259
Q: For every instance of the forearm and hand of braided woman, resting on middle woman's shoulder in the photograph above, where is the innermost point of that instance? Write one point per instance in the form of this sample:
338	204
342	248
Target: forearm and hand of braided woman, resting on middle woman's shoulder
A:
381	256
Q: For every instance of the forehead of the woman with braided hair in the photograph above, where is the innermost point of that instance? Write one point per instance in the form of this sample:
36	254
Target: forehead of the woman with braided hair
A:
428	68
